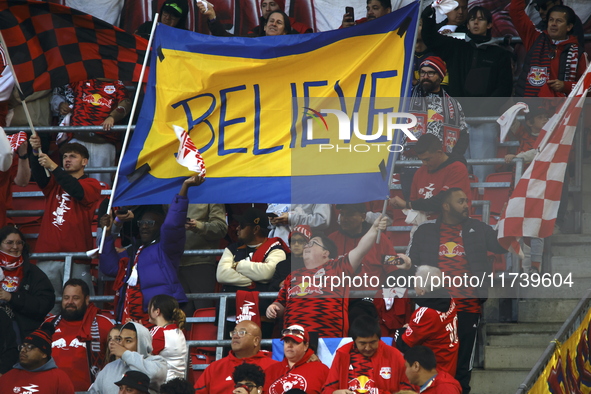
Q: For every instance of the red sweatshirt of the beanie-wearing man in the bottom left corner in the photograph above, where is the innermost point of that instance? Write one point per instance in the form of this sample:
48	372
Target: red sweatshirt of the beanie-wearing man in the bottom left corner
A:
47	379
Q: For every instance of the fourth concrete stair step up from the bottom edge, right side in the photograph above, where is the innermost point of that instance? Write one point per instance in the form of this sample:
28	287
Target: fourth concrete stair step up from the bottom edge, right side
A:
545	310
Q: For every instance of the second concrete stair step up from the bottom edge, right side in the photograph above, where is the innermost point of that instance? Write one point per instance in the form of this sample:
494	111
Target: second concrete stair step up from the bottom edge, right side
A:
511	357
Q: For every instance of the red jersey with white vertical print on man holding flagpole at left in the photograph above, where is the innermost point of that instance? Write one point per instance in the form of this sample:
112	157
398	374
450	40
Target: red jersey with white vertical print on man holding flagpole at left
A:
66	224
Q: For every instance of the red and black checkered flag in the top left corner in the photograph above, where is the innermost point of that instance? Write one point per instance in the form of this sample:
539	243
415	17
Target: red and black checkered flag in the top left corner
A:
51	45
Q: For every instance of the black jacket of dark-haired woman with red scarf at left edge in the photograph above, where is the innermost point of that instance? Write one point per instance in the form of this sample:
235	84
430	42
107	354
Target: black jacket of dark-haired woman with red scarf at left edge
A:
33	300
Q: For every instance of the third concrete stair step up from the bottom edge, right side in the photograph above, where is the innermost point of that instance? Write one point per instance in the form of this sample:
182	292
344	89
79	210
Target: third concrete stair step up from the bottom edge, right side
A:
525	334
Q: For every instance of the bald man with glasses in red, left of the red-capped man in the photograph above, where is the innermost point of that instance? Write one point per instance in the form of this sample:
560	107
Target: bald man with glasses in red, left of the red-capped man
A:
246	348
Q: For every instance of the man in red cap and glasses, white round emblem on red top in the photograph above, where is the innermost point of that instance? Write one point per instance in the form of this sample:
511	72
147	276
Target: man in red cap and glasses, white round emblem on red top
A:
297	370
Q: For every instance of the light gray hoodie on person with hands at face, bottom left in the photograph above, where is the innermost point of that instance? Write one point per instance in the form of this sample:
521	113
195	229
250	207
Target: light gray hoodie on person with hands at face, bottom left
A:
153	366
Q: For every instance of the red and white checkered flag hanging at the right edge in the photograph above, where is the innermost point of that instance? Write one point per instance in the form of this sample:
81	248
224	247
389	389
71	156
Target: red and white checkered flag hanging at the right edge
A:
533	206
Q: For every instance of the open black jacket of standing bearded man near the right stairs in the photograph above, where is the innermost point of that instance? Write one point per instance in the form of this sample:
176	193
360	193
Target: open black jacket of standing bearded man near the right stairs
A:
478	237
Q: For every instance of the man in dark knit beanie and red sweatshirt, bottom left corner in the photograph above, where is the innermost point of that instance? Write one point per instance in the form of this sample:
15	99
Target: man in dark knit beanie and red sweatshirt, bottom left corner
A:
36	371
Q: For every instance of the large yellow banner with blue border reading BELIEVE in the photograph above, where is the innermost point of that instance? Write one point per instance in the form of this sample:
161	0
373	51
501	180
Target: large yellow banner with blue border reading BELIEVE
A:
267	114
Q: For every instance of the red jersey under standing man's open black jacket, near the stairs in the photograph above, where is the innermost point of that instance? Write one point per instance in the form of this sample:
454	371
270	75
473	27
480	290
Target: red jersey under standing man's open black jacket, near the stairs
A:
453	262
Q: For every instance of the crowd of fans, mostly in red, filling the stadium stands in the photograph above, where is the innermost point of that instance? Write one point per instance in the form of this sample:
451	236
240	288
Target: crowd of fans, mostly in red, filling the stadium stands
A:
272	247
